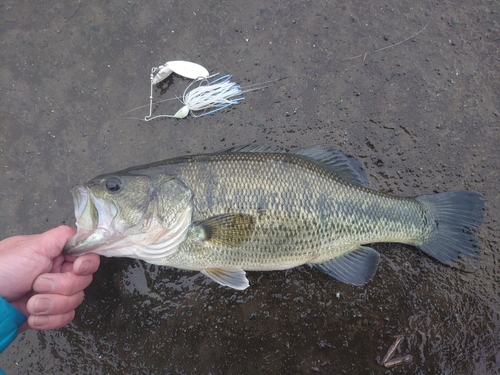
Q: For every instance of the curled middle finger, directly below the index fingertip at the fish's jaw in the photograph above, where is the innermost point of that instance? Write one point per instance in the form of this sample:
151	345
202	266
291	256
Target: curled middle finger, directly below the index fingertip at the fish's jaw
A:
67	283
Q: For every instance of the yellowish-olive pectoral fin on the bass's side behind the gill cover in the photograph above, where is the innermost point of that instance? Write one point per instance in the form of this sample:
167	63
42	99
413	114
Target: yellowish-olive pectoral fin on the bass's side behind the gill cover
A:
227	230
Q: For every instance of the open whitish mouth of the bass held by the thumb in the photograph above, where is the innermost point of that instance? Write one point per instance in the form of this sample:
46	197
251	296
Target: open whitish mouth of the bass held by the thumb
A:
94	217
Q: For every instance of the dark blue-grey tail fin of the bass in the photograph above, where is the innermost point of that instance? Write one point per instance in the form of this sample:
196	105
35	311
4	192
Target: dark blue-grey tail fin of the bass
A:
453	218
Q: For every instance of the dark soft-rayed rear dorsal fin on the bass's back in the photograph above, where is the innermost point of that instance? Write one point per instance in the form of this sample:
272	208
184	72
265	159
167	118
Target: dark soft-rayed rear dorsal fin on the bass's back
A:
348	168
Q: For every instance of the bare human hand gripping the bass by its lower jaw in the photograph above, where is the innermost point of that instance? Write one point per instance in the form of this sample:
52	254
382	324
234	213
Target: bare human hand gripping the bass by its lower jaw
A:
40	281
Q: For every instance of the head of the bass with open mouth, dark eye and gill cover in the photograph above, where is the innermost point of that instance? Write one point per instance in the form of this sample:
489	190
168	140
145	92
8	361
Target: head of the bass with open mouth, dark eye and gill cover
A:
137	215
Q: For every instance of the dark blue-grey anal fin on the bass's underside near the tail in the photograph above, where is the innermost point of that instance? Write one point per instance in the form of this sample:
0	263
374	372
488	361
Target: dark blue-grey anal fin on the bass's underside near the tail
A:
354	267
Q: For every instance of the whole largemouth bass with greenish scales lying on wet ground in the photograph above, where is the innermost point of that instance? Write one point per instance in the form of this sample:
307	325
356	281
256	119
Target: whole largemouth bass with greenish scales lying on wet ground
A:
250	208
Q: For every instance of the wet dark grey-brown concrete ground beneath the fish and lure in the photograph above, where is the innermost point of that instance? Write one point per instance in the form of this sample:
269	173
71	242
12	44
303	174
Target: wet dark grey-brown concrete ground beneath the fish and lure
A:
422	116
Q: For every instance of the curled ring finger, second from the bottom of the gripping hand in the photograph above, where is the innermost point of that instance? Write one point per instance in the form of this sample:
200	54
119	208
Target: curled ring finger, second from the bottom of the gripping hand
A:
53	304
